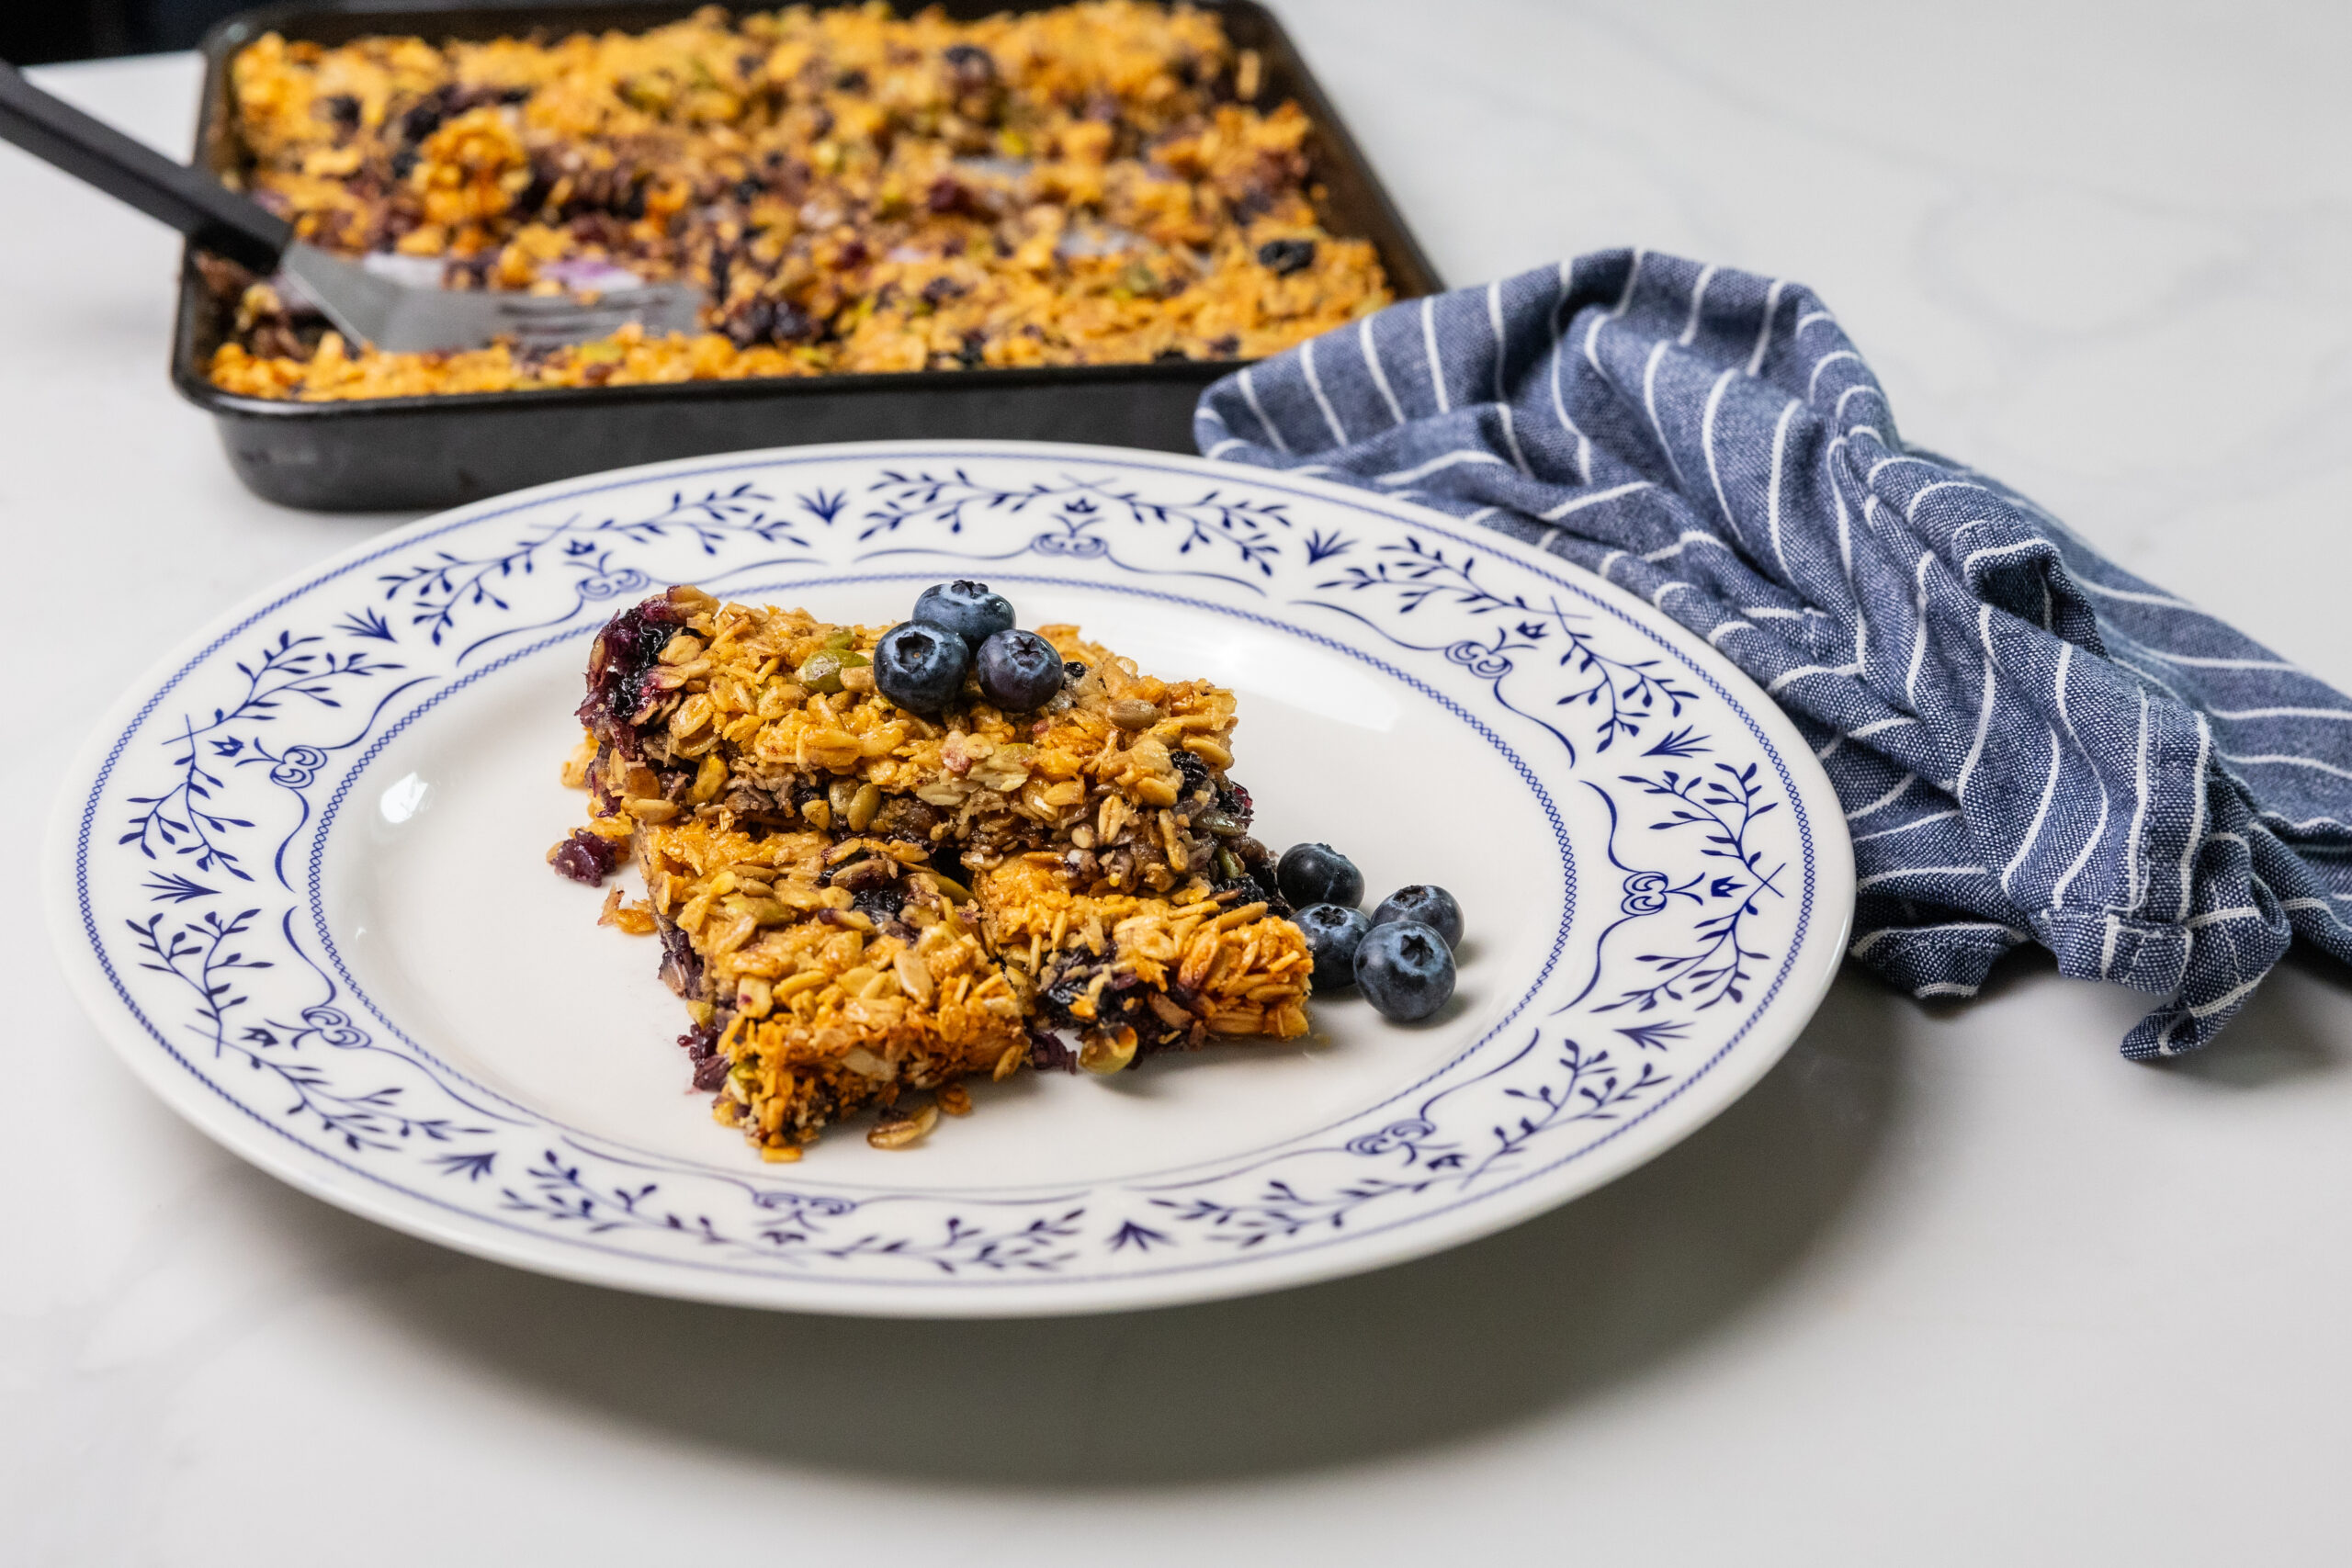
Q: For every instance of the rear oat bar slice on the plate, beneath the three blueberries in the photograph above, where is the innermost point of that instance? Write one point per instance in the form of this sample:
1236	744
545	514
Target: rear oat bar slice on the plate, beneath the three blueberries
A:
770	718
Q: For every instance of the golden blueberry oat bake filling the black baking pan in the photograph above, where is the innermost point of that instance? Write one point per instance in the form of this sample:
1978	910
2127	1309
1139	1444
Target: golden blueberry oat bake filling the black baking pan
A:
853	192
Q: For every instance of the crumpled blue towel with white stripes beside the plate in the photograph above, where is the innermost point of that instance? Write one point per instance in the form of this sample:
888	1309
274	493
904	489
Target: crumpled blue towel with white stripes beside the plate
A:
2029	742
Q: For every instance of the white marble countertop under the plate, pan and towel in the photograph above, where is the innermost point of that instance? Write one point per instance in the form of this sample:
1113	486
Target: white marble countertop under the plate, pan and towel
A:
1951	1287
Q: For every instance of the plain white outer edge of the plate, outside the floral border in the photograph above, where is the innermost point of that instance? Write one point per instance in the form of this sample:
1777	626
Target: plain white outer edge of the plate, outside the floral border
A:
234	1127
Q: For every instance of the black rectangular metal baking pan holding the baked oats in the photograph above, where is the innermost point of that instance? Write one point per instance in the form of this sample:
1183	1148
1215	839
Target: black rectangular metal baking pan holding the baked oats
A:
432	453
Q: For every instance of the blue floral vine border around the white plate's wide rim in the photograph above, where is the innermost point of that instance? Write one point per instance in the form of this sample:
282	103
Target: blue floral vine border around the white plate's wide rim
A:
1405	1165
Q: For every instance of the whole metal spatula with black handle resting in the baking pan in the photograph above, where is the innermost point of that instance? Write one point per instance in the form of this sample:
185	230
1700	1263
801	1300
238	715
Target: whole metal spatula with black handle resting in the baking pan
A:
361	304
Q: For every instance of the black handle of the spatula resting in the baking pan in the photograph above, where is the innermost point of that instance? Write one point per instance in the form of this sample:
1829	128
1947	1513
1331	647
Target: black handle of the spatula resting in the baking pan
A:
135	173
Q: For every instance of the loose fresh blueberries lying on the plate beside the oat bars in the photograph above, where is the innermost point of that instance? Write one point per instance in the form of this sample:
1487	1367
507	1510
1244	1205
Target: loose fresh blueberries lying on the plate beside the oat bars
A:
1401	958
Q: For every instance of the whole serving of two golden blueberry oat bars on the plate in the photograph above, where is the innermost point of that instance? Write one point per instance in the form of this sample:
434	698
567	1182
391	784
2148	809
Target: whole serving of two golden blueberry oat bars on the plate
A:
862	902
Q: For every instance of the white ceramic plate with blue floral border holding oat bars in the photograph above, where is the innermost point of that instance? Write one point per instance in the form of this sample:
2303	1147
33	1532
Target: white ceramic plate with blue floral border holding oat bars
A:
300	883
